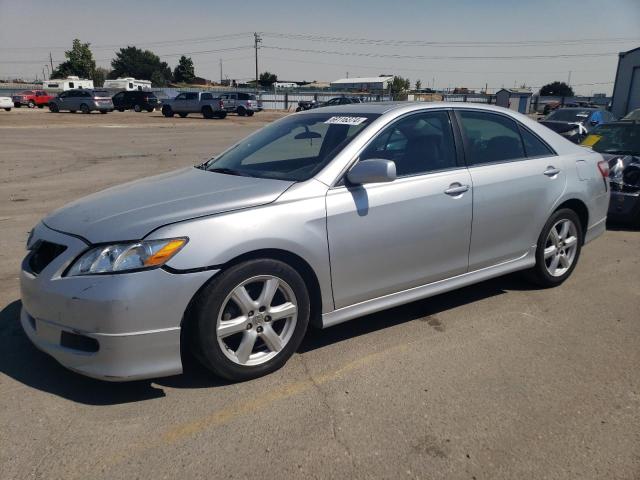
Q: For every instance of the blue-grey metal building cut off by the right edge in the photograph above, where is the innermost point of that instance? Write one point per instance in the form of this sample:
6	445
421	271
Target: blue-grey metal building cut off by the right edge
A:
626	90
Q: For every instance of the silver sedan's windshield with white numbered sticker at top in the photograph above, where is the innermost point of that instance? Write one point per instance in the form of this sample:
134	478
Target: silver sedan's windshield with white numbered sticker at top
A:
294	148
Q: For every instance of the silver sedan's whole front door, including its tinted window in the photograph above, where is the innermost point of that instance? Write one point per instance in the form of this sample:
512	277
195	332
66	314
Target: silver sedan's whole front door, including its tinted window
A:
388	237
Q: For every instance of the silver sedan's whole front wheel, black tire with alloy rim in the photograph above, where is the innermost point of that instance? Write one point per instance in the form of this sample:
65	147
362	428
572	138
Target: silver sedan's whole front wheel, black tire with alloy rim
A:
268	343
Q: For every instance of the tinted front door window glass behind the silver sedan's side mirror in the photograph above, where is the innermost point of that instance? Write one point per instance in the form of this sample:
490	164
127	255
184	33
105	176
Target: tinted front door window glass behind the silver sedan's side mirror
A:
417	144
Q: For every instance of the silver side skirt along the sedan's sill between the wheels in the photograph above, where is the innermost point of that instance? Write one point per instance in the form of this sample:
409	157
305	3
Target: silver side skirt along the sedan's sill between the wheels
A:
344	314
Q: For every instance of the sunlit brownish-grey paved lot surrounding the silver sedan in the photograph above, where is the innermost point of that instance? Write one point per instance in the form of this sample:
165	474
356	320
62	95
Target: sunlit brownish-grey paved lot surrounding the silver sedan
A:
498	380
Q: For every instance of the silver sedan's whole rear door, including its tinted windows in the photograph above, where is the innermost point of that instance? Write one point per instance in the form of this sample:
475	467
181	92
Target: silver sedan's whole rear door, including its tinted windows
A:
517	178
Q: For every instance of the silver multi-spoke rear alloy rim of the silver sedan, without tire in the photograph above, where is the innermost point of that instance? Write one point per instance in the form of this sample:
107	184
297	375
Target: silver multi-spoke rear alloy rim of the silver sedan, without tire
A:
561	247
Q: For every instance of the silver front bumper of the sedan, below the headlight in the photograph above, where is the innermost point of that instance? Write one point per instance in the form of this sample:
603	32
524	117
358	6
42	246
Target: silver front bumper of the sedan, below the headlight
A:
133	318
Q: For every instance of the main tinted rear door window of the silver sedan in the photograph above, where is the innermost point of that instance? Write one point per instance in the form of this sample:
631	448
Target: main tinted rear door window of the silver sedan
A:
490	138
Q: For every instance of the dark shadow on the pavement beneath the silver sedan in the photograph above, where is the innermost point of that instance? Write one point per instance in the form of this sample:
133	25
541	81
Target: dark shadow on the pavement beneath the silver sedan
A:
25	364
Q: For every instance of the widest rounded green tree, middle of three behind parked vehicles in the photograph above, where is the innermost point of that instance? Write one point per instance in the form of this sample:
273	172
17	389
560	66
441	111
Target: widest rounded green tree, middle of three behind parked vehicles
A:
140	64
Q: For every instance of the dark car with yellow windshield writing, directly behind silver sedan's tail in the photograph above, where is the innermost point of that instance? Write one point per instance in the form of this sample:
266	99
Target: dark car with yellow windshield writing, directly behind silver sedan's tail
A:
619	144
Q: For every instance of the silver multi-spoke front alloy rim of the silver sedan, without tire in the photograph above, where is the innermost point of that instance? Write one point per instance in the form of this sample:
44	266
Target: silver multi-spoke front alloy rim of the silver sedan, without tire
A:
257	320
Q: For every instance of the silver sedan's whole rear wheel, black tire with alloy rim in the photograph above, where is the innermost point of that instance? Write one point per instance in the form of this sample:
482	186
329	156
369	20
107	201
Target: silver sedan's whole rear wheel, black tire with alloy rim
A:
561	249
